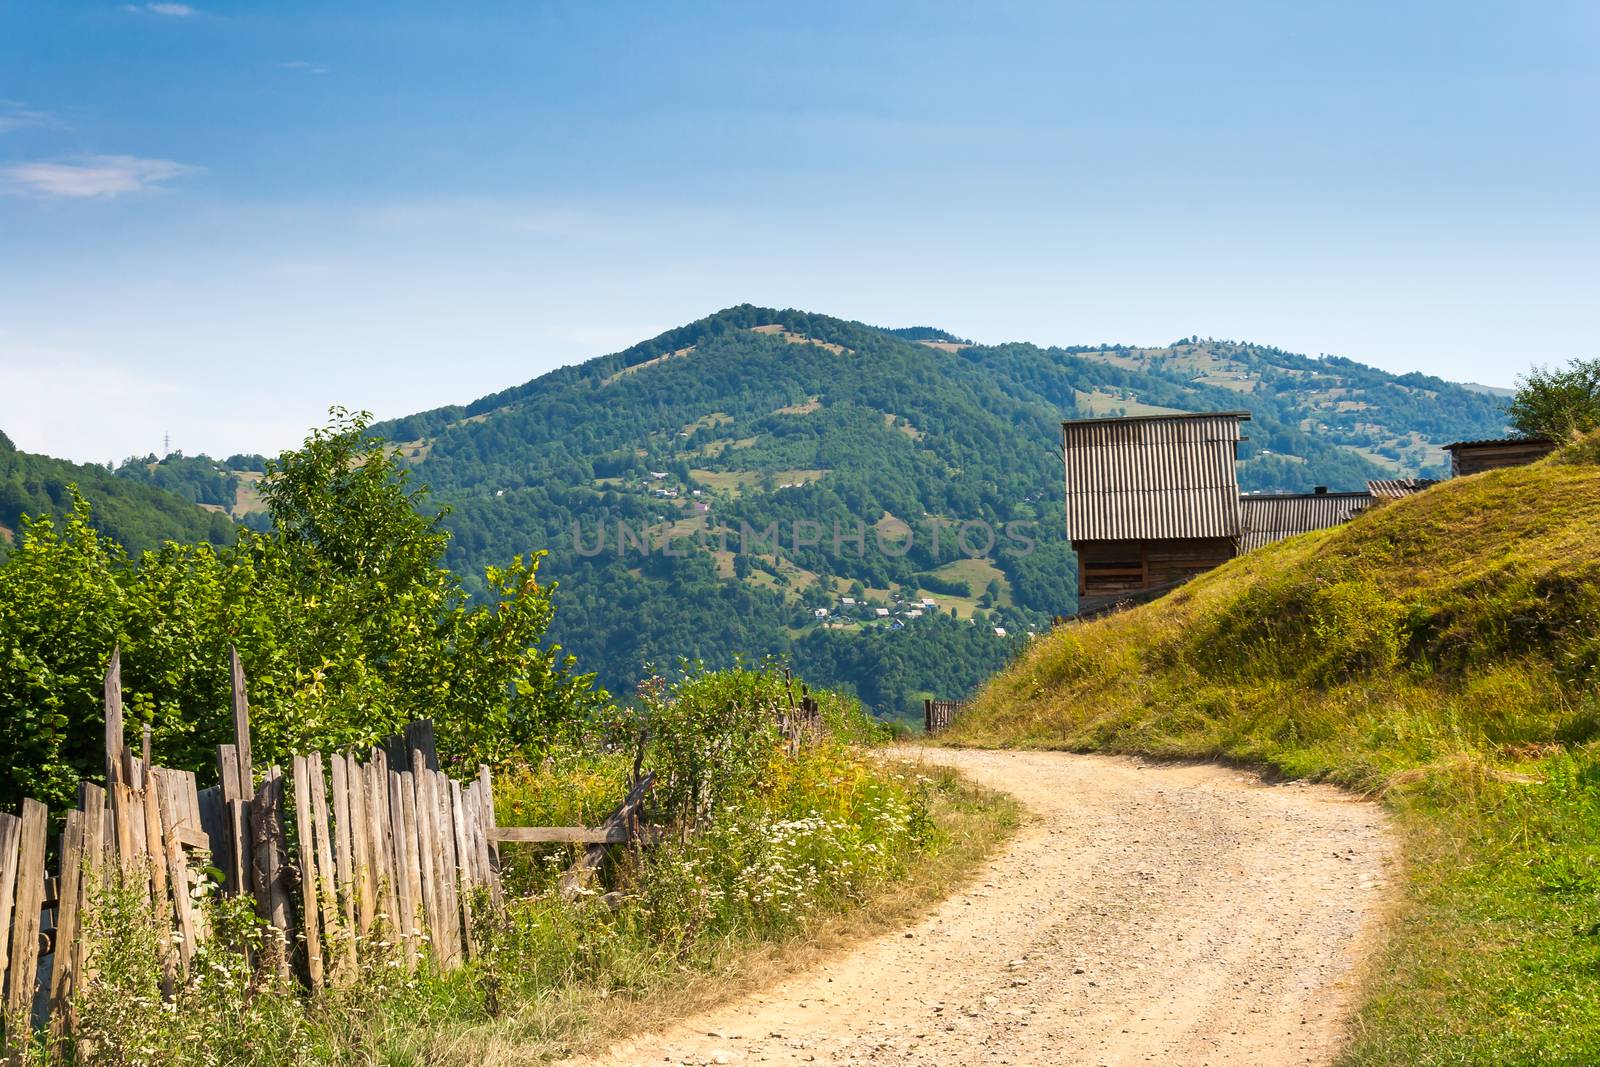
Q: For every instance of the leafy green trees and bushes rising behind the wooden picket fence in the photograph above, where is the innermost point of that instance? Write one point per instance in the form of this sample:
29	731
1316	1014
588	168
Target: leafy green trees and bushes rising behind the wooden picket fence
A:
343	615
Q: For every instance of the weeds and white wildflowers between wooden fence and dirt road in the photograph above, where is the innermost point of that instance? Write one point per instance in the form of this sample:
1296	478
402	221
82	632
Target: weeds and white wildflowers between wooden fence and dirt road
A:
772	853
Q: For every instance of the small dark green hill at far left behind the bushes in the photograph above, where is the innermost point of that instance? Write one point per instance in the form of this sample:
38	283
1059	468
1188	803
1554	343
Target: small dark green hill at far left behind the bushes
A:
138	516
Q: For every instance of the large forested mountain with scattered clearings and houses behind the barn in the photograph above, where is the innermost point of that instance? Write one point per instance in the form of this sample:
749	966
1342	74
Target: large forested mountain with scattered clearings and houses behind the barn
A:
841	434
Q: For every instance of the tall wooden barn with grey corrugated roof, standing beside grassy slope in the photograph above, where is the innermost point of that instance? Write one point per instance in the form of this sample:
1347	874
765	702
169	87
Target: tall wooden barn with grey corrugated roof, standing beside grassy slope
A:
1151	502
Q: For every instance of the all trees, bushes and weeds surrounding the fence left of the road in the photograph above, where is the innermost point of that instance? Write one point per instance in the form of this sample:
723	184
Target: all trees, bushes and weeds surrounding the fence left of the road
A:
350	626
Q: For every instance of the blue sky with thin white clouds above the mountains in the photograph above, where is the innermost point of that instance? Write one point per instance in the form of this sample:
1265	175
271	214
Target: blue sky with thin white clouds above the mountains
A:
217	220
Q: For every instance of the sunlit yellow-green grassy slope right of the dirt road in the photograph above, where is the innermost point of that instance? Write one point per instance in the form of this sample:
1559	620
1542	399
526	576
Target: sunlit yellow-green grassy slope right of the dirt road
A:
1442	653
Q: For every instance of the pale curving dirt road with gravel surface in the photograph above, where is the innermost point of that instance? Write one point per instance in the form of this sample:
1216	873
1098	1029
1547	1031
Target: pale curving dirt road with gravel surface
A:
1145	914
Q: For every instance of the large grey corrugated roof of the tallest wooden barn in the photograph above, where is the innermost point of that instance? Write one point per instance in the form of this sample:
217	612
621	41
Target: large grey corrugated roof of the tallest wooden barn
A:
1153	478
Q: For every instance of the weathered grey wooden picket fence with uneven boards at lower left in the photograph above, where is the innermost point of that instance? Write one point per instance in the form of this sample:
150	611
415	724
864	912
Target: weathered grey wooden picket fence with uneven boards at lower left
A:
326	852
